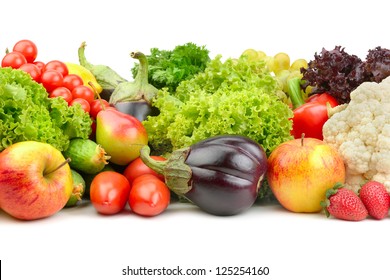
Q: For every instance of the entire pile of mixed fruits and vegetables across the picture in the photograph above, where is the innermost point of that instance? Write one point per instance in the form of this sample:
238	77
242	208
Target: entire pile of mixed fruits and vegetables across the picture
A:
221	134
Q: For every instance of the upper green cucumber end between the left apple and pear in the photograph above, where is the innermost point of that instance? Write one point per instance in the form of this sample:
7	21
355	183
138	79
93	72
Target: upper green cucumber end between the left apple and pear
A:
86	156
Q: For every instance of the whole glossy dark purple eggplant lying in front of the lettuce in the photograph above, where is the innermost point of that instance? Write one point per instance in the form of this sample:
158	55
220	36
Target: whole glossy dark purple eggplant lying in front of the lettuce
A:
221	175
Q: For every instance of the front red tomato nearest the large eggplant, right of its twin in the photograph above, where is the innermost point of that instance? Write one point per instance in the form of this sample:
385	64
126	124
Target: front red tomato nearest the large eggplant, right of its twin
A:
149	196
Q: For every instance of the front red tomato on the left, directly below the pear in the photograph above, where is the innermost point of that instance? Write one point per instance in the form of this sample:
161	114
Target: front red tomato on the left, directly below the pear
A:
109	192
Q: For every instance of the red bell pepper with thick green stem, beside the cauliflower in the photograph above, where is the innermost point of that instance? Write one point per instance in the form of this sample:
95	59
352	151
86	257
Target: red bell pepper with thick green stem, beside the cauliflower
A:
310	116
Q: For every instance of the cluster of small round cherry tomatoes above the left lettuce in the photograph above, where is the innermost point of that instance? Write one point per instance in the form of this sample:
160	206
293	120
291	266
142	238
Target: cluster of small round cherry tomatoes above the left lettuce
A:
54	76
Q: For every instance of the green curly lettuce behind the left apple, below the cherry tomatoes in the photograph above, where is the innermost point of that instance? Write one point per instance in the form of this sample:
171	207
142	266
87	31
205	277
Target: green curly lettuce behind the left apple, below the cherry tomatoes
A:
27	113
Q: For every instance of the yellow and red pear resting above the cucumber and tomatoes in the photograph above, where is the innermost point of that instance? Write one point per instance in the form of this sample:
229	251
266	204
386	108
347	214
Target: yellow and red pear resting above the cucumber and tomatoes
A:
121	135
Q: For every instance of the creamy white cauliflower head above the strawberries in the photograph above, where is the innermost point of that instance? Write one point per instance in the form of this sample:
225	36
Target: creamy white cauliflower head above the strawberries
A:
360	131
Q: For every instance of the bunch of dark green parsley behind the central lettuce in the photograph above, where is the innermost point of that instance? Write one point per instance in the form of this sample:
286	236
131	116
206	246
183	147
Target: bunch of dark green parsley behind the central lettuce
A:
167	68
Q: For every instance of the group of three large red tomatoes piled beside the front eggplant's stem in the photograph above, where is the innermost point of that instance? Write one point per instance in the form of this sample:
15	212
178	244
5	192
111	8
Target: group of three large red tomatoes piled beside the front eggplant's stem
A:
138	186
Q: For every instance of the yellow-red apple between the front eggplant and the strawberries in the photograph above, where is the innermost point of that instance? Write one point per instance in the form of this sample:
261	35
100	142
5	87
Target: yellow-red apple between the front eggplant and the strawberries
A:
301	170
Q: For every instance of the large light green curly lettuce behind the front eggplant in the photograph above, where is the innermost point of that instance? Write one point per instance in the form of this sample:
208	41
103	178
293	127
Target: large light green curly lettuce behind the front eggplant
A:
232	97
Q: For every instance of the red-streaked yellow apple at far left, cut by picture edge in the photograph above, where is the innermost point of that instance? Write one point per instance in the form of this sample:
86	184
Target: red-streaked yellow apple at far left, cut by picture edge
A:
35	180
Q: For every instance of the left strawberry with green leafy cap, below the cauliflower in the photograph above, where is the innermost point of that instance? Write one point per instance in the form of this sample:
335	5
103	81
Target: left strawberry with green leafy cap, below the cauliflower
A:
343	203
